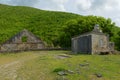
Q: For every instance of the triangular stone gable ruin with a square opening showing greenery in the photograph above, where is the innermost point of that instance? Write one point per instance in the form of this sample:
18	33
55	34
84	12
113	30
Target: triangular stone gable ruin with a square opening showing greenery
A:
22	41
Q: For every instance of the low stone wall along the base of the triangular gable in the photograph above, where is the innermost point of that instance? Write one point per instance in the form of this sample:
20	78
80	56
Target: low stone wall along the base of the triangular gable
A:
21	47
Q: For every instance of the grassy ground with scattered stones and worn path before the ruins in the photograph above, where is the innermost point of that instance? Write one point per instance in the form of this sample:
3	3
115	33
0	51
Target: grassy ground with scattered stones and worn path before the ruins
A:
45	65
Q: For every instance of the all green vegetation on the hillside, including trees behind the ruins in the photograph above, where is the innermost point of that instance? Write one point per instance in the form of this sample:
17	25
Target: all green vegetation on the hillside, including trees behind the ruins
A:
55	28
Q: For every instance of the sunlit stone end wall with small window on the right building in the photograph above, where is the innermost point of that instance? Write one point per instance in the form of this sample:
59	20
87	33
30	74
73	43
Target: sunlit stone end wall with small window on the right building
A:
100	43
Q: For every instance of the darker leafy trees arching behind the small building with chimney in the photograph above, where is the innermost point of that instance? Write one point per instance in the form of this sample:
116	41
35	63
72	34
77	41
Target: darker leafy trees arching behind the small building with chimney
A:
85	24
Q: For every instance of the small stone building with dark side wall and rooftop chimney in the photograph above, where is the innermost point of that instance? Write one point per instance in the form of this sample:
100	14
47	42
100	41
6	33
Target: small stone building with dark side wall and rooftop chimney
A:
94	42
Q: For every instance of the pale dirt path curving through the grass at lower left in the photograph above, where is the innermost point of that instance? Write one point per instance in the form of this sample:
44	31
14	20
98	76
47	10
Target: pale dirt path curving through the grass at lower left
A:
9	71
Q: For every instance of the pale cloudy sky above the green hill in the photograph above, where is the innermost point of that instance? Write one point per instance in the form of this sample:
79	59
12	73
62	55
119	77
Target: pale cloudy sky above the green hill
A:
105	8
